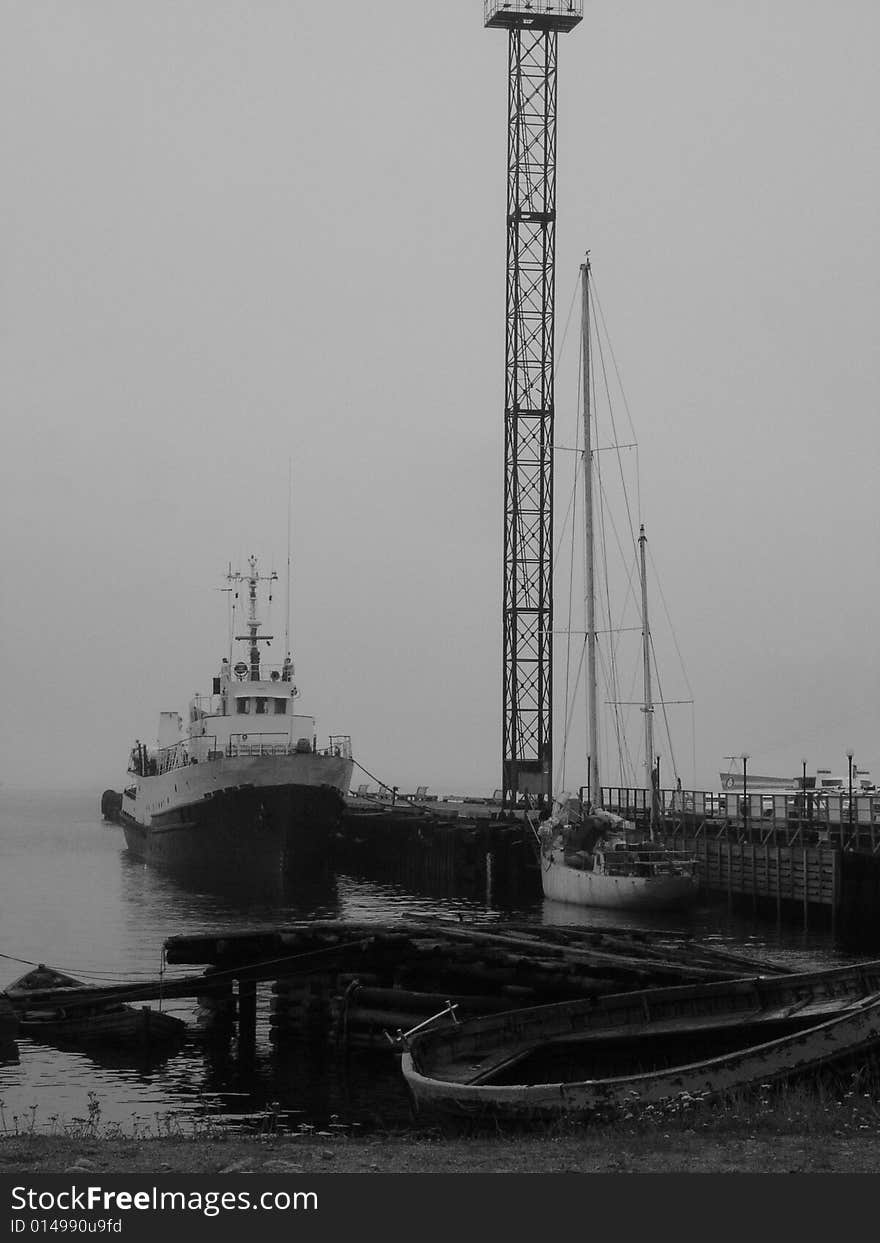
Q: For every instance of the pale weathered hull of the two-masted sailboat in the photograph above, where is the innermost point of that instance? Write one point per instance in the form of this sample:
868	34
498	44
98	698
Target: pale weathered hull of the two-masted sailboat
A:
581	888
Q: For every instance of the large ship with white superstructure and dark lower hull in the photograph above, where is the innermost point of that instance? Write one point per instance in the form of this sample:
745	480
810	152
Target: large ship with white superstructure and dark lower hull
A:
241	781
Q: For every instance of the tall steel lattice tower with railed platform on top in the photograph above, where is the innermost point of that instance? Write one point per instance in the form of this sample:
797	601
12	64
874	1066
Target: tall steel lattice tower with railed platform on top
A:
534	32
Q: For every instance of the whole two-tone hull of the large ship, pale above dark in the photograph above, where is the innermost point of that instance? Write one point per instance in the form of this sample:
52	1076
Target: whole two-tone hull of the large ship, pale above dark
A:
270	815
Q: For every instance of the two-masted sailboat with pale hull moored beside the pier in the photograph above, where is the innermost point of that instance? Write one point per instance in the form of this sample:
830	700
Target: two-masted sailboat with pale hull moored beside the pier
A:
590	857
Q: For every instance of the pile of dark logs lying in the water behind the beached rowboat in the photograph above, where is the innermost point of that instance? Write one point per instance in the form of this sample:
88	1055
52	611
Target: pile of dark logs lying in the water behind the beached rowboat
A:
361	986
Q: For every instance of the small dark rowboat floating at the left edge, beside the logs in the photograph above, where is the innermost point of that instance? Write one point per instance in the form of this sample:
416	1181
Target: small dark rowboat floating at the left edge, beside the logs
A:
47	1015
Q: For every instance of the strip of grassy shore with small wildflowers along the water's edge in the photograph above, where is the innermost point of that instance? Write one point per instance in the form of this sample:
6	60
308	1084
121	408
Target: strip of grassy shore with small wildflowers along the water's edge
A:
736	1147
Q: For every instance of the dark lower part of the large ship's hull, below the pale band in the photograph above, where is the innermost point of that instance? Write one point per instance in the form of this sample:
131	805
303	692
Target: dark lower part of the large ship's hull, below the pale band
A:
245	830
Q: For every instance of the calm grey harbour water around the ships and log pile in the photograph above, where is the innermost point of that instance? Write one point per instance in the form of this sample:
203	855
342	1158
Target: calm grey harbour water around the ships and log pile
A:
73	897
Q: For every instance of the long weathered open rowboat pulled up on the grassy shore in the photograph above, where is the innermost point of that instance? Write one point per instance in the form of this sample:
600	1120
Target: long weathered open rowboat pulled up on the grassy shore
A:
576	1058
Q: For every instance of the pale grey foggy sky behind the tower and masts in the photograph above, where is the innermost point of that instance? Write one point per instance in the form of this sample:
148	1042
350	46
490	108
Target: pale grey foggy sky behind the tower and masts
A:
254	259
